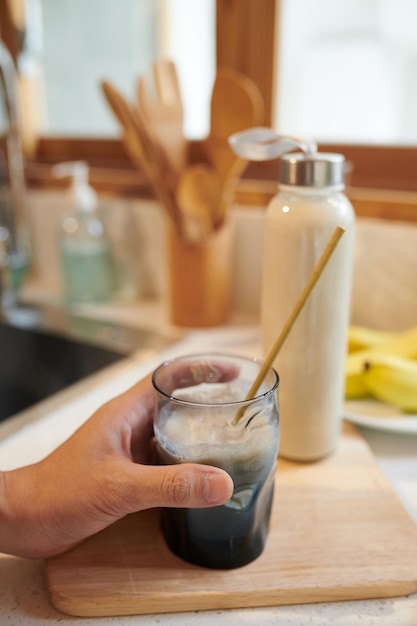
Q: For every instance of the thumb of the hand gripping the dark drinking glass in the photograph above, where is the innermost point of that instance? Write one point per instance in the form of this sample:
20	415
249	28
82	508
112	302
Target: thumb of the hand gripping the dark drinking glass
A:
185	485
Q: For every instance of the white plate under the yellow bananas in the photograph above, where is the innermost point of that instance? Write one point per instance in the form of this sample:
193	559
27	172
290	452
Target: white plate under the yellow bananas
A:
373	414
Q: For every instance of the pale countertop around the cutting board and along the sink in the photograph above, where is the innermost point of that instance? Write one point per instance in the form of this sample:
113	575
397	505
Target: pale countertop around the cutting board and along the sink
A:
23	598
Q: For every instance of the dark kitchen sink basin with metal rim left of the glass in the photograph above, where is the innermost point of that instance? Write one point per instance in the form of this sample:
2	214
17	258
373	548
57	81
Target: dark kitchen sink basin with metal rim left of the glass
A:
44	351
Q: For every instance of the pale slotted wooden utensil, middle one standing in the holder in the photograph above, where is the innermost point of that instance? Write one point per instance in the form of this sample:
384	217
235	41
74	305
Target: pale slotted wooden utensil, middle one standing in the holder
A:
159	98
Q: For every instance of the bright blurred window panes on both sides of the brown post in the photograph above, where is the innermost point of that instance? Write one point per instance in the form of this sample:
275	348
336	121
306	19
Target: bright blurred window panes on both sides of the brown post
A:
345	69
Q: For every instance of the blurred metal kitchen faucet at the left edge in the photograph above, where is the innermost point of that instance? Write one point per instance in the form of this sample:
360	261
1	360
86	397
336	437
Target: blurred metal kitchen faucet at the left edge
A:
14	241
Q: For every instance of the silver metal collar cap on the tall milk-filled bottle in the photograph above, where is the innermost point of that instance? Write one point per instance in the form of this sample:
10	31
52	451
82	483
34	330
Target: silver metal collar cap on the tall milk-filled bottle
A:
323	169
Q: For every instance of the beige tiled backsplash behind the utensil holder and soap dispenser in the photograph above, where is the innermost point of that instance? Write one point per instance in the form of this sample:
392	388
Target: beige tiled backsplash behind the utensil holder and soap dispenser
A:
385	274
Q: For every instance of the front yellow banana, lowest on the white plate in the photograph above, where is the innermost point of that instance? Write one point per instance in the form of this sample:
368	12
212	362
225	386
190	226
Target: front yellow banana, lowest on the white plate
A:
392	379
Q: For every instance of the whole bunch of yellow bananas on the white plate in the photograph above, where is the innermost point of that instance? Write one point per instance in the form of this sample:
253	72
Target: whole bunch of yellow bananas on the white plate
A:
365	347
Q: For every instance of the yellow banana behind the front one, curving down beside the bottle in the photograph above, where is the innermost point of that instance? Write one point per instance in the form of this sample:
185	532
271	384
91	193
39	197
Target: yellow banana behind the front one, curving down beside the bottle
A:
401	344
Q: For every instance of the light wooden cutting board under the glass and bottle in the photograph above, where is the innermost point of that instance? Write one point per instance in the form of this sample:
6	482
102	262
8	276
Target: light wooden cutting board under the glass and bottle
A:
338	532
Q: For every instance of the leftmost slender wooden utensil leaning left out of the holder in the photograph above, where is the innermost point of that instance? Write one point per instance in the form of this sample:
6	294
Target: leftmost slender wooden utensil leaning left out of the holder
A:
143	152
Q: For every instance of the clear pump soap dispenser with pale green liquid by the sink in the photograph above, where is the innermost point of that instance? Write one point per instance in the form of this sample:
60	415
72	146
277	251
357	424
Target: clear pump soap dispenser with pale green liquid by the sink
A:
84	248
